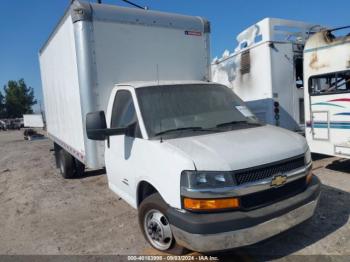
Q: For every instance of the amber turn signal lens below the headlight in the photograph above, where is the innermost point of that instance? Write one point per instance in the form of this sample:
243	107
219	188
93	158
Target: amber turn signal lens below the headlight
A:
210	204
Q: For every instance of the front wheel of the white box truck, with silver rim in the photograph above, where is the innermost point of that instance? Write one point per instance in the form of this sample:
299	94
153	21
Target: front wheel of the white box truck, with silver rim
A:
155	225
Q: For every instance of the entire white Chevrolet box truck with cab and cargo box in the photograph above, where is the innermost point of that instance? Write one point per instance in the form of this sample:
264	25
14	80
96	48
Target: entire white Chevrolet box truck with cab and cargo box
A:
129	89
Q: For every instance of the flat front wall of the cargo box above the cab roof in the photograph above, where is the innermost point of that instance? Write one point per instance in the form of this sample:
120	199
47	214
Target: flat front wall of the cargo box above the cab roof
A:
128	52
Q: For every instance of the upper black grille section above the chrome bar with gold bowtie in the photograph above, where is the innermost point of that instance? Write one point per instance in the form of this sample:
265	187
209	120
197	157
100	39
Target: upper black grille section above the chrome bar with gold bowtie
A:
266	171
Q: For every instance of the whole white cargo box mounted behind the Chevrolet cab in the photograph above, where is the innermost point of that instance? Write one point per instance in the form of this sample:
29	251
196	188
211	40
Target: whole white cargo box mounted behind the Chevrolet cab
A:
95	46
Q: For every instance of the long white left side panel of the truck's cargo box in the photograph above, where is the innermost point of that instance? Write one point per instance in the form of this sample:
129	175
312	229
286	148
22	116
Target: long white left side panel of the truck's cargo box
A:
61	90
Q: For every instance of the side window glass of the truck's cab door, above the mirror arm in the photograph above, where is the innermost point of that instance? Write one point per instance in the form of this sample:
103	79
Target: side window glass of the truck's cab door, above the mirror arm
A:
124	114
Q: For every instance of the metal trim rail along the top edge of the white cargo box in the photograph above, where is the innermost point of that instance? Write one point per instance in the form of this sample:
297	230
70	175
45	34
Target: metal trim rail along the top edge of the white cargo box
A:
85	11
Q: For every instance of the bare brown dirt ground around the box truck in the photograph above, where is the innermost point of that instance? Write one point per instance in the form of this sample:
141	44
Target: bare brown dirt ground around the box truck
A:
41	213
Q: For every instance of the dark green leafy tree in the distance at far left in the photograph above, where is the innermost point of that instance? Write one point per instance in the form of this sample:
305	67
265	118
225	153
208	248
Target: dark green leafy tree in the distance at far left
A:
19	99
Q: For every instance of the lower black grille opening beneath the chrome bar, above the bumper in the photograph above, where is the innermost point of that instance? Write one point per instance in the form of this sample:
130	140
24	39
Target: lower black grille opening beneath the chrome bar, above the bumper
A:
272	195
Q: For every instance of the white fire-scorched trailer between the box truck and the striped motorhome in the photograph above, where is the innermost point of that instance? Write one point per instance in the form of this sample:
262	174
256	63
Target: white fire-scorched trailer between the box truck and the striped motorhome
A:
266	70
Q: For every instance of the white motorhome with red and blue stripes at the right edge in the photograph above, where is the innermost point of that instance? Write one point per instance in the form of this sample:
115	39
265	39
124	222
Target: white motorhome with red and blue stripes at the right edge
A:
327	98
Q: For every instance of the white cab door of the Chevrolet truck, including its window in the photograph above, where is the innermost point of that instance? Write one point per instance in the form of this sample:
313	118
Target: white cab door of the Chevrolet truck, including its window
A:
120	148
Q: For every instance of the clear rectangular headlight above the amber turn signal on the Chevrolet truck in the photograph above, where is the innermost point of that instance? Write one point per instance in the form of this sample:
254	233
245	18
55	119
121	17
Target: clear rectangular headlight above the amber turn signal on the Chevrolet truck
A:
206	179
